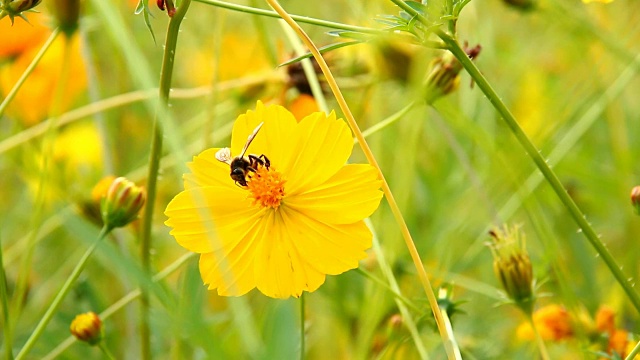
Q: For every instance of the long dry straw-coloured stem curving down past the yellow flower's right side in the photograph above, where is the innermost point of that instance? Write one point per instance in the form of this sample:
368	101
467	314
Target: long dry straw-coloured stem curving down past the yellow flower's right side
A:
372	160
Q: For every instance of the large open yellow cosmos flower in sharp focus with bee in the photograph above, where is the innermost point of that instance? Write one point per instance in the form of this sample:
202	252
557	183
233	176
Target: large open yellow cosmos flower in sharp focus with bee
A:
296	221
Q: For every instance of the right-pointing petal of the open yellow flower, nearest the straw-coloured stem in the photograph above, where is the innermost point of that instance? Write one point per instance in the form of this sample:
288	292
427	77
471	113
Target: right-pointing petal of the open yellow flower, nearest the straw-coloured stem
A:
350	195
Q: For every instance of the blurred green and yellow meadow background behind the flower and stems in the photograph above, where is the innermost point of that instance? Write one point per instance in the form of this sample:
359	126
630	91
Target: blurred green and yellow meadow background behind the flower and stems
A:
565	69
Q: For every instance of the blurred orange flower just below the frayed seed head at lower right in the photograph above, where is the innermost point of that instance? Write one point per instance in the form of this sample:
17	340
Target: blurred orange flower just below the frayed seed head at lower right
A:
553	323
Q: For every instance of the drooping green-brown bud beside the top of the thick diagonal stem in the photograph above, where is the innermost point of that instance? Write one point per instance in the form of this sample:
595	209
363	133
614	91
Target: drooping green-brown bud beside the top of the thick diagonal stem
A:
444	74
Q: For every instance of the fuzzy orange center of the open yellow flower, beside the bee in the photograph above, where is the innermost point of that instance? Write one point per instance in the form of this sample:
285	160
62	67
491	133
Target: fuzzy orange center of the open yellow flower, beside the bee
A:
266	187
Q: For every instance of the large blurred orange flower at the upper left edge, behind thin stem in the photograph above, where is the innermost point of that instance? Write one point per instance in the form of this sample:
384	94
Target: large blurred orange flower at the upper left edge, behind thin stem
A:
33	102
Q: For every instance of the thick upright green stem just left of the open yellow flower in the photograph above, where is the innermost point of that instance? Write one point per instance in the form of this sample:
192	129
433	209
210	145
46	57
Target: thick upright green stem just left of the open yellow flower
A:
154	165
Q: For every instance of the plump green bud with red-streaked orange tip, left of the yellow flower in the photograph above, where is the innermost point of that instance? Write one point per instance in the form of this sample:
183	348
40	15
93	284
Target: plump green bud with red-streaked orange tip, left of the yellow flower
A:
123	201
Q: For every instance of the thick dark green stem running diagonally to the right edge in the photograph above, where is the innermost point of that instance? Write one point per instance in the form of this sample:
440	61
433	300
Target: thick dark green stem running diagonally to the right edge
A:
542	165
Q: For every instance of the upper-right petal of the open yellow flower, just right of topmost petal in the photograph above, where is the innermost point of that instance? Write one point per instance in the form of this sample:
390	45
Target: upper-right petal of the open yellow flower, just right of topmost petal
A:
323	145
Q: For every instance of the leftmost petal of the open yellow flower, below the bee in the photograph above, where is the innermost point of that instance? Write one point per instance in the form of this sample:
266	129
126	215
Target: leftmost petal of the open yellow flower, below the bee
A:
191	215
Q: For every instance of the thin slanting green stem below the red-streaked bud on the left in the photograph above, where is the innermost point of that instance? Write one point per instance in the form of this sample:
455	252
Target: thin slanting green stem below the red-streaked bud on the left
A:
60	296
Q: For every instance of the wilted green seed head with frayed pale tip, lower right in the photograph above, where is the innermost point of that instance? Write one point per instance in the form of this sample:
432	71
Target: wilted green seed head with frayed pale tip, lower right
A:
512	266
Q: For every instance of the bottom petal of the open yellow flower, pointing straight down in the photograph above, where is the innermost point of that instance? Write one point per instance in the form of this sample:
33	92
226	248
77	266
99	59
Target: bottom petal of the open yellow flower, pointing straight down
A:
280	271
